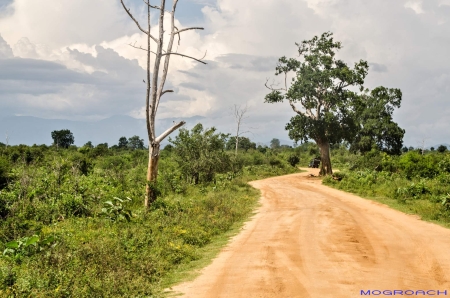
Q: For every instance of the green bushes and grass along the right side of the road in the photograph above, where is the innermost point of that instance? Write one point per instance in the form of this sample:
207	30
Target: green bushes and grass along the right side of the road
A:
411	182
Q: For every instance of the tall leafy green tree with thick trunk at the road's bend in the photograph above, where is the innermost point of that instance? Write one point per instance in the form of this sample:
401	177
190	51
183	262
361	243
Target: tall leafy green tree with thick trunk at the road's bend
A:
323	96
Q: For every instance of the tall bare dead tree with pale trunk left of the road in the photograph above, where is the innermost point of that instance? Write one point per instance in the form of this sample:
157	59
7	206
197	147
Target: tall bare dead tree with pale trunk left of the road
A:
155	83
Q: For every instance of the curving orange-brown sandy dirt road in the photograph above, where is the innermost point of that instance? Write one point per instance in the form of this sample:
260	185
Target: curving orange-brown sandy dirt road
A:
308	240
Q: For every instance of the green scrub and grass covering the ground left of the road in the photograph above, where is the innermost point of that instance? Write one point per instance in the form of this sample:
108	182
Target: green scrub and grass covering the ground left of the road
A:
72	222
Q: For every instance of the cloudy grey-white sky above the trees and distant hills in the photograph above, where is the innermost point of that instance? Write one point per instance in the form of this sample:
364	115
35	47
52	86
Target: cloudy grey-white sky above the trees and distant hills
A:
71	59
